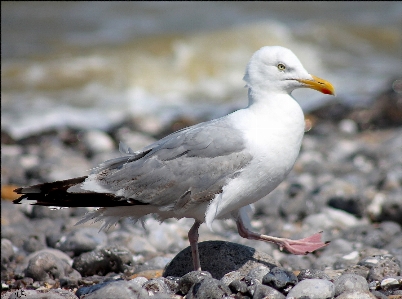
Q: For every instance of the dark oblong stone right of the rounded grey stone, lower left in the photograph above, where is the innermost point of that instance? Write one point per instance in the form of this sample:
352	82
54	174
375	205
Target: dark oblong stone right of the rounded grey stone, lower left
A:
103	261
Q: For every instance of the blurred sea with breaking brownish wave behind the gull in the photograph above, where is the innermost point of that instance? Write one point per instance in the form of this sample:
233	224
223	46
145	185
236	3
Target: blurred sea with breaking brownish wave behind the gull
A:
93	65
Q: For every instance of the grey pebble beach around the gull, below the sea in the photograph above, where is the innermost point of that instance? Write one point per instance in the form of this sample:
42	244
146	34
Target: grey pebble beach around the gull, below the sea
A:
347	182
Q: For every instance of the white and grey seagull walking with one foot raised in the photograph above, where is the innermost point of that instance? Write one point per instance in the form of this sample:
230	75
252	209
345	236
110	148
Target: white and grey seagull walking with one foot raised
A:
209	171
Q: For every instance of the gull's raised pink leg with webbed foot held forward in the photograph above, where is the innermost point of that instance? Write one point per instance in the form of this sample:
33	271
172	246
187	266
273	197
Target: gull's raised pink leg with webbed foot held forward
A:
302	246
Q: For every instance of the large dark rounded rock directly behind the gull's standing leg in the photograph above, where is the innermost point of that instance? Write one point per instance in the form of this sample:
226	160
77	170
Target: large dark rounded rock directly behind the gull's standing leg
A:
219	258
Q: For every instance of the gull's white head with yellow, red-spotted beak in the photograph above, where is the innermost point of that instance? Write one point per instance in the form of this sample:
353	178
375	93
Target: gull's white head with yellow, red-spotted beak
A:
277	69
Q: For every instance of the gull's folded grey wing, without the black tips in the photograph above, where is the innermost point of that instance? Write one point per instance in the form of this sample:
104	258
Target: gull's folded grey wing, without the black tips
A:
189	166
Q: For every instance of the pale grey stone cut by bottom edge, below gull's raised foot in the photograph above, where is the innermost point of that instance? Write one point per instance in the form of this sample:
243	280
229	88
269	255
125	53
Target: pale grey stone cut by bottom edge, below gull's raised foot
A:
313	288
